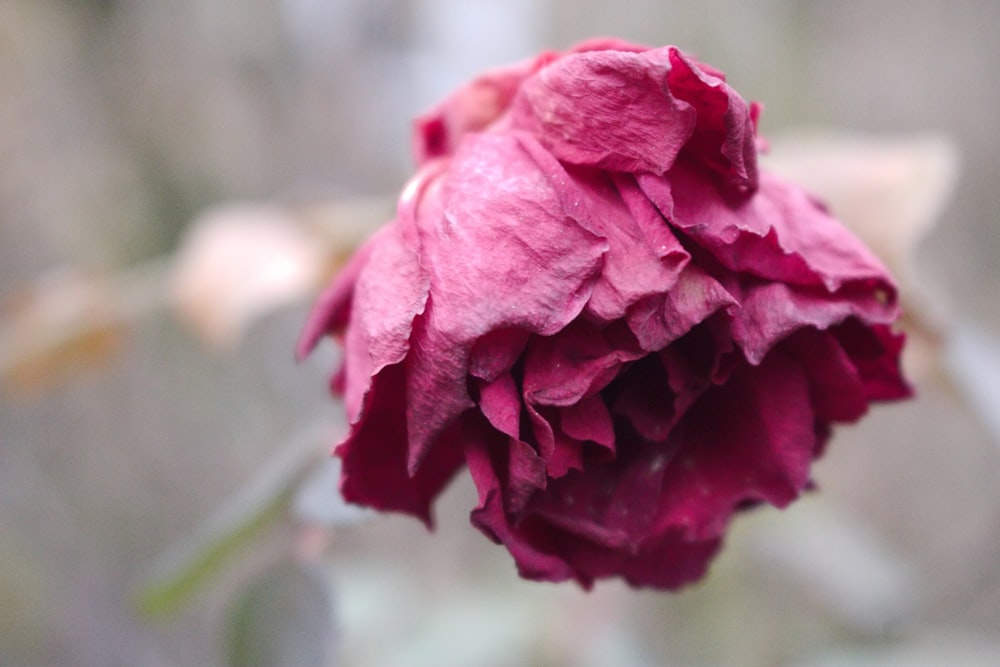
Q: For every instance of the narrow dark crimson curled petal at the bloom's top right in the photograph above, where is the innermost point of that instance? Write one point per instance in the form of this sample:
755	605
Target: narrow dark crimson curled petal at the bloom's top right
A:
724	136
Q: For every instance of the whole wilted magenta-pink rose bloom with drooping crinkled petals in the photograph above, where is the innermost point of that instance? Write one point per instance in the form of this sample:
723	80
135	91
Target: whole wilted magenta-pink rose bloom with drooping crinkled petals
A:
592	299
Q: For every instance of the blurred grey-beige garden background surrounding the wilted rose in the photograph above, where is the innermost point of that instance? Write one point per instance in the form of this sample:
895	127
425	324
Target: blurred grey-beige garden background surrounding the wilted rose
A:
178	178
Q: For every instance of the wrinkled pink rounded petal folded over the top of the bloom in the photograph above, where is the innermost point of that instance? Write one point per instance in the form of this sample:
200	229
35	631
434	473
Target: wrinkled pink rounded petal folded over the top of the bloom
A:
606	109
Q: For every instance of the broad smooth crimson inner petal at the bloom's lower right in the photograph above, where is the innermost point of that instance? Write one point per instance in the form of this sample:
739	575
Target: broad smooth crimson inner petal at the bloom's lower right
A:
747	440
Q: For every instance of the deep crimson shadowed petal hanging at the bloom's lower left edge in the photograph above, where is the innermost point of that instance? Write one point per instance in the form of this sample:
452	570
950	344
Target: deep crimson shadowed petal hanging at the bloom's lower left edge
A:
374	455
